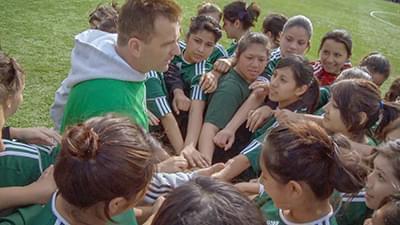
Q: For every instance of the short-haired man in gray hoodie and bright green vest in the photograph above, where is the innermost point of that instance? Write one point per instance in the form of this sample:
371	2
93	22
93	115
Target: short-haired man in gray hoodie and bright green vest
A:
108	70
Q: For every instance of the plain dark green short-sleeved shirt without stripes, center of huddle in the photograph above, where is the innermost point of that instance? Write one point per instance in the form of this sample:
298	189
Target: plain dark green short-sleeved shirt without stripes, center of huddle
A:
231	93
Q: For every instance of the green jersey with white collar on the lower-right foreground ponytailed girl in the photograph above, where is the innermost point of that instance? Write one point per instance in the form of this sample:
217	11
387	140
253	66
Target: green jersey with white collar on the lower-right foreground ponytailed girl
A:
275	215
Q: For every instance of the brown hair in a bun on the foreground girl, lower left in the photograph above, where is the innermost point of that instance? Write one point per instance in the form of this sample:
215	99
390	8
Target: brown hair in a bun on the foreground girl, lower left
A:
100	150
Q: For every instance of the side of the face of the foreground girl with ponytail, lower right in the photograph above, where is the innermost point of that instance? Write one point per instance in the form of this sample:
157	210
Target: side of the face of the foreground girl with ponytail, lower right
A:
277	191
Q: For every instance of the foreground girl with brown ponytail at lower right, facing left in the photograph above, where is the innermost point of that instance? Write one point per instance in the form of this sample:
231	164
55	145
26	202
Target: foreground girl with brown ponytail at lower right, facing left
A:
301	168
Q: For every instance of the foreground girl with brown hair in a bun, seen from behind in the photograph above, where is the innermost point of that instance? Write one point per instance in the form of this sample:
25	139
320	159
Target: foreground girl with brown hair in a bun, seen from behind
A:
85	166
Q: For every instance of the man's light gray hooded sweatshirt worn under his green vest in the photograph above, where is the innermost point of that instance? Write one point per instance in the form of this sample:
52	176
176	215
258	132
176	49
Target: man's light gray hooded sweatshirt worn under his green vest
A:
93	57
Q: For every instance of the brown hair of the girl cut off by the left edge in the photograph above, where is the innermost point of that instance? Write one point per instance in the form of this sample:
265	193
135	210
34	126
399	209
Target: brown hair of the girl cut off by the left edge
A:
12	76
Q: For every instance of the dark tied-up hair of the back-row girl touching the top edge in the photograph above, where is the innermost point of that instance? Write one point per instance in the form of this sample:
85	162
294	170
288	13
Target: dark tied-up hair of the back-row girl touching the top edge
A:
237	10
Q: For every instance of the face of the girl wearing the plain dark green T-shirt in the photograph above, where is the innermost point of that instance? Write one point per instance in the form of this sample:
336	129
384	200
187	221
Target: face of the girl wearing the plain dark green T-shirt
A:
252	62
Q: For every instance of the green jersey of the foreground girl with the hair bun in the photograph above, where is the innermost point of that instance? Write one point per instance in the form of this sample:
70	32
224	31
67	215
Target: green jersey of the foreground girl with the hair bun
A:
51	216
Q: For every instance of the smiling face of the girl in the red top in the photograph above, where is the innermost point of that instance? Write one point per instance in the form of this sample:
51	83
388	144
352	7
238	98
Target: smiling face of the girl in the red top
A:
333	56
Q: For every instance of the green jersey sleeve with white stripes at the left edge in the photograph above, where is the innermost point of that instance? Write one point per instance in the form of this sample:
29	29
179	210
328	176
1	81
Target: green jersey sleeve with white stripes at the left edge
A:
21	164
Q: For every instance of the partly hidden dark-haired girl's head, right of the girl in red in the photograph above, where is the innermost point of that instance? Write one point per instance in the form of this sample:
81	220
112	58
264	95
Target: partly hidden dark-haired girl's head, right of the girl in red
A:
378	66
